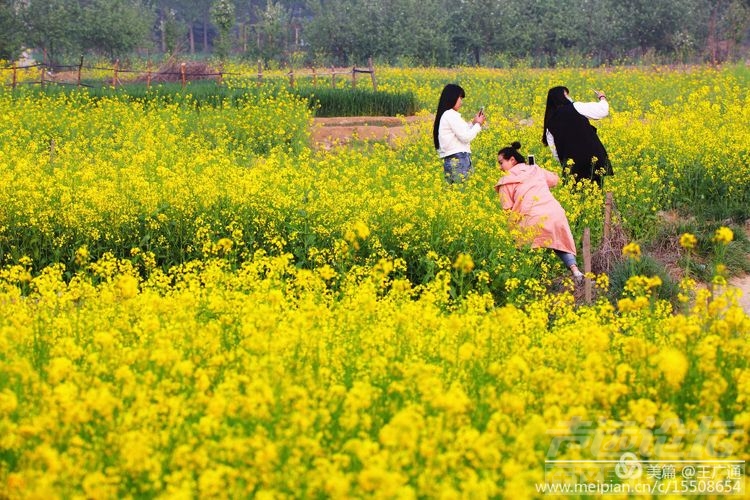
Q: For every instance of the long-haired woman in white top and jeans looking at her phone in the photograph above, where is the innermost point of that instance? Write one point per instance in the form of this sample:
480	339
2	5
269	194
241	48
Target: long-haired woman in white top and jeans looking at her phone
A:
451	134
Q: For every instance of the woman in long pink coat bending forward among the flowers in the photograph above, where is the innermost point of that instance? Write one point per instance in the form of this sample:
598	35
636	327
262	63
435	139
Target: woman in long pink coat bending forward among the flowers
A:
525	189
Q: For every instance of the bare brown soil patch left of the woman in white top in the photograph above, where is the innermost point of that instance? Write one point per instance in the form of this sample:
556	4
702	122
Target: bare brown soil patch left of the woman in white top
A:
330	132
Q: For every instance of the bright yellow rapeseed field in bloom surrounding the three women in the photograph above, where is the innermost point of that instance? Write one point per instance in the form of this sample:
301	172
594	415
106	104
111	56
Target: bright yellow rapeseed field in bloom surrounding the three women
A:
195	302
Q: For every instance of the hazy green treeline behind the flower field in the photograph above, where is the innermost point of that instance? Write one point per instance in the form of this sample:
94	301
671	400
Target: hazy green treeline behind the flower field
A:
394	32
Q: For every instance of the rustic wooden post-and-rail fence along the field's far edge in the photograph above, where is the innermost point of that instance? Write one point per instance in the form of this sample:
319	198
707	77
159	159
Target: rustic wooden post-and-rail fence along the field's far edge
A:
73	74
